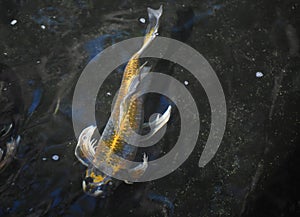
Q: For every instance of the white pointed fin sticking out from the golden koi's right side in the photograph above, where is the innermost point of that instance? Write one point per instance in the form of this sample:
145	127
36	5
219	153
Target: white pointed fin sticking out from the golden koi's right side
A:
158	123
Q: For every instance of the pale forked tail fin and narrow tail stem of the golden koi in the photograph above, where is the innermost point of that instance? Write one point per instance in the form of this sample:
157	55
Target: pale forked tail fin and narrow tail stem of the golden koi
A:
151	32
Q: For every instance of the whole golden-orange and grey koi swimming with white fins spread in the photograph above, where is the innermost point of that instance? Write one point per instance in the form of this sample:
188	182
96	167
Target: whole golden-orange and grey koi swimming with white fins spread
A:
125	120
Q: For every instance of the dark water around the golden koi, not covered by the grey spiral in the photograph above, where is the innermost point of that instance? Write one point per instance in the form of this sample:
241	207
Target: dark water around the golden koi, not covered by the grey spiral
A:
255	171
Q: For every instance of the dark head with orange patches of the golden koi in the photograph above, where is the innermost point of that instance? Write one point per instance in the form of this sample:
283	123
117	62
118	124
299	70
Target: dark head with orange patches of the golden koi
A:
97	184
